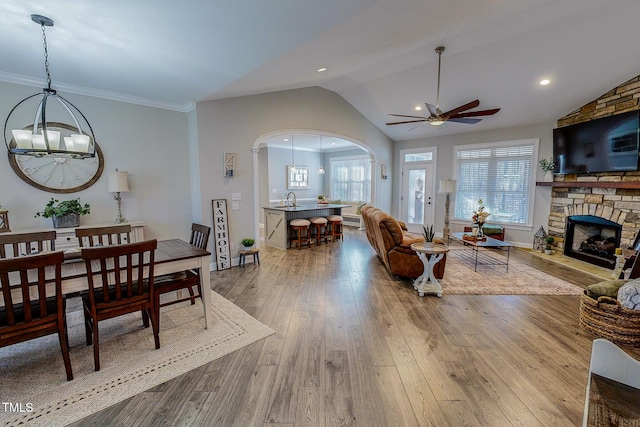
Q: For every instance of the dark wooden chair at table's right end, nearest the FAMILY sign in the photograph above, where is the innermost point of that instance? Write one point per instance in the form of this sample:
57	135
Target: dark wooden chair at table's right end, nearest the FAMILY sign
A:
184	280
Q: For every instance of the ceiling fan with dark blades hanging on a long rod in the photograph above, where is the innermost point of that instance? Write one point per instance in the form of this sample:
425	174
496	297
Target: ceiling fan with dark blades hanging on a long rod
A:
437	117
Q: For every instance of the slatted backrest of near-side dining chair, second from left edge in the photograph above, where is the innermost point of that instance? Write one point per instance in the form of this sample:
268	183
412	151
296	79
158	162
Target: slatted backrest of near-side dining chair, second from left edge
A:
125	271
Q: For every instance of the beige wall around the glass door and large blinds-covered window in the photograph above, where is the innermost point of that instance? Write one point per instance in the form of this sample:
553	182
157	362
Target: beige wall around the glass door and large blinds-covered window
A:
445	164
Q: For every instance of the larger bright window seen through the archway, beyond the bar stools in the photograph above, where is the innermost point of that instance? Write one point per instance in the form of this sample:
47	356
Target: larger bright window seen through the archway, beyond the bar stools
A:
351	179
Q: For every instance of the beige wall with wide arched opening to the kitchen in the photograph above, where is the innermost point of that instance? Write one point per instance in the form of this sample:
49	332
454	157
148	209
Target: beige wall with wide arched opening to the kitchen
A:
235	124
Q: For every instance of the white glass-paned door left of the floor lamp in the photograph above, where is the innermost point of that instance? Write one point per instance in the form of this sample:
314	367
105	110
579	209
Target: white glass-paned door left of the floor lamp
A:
417	195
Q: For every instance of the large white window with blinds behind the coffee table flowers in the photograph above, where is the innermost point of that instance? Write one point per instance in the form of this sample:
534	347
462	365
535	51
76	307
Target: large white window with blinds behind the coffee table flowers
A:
502	175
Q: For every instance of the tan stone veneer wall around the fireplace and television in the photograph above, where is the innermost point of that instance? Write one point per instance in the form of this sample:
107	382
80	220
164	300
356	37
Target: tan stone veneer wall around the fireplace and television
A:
620	205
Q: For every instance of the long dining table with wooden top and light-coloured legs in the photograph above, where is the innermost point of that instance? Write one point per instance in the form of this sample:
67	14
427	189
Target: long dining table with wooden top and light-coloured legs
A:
171	256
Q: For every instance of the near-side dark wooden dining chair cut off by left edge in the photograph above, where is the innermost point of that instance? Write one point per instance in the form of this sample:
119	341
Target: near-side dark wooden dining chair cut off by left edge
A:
44	311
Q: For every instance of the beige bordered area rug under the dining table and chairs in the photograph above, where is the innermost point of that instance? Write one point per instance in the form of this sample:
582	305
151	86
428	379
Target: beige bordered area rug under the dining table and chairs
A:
34	381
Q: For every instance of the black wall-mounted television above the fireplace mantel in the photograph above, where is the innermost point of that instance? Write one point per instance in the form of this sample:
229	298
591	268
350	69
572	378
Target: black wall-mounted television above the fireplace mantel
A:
608	144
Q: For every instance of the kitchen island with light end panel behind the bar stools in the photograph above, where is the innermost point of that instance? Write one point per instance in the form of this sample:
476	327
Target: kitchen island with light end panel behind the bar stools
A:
276	220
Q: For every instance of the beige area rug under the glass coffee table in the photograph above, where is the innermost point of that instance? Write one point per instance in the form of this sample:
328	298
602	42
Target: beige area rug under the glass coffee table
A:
521	279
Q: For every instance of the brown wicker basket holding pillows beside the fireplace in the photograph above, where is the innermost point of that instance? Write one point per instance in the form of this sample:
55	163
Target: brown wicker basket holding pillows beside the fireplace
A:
608	319
